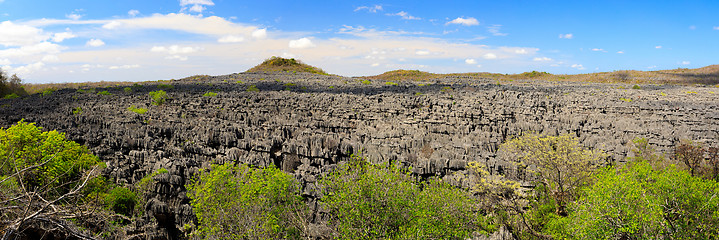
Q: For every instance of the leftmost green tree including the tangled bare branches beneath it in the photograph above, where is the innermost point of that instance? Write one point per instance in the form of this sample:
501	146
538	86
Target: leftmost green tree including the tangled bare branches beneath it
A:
43	177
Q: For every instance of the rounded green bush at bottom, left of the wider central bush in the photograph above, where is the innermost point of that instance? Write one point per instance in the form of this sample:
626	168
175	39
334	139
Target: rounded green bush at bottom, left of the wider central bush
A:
239	202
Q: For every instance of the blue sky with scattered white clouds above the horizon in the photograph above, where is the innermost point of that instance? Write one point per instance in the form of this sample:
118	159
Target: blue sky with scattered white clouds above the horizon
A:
49	41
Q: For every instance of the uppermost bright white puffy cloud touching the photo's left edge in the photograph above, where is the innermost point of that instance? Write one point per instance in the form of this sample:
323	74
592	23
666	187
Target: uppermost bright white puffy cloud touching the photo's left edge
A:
20	35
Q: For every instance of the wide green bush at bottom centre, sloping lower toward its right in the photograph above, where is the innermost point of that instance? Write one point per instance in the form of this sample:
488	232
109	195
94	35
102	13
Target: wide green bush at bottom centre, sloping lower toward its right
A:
369	201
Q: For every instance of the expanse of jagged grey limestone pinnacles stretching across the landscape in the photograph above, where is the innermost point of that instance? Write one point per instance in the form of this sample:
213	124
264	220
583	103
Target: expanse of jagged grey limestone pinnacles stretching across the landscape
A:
306	123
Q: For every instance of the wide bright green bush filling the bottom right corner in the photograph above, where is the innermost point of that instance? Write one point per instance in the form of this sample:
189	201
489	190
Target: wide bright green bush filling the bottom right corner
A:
641	202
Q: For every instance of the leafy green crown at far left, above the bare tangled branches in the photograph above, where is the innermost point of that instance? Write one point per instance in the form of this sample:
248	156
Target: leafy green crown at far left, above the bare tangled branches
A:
59	161
